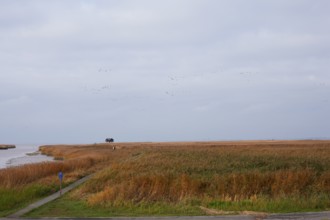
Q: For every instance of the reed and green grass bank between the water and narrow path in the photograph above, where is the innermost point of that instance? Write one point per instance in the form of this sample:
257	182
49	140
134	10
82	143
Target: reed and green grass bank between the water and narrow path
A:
19	186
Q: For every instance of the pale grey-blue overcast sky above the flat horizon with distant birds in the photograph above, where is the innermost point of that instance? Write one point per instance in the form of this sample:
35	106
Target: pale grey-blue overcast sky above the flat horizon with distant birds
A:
176	70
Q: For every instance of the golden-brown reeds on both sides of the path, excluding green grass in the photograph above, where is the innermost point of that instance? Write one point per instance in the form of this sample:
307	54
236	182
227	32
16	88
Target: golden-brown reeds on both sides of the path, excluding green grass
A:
212	174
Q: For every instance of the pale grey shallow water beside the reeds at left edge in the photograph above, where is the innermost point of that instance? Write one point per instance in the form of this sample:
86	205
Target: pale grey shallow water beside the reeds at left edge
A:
18	156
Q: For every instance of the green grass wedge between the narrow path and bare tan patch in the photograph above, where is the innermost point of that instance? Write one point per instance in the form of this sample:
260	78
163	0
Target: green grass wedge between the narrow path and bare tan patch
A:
67	207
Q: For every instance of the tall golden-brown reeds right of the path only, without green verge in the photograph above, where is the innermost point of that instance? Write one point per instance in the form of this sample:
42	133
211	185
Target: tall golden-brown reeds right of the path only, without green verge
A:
180	173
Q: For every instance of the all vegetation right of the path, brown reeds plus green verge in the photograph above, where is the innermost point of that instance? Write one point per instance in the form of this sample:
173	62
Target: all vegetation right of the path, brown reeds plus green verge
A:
186	178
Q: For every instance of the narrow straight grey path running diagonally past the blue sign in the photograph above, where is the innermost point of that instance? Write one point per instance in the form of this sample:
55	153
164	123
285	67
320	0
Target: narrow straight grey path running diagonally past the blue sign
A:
49	198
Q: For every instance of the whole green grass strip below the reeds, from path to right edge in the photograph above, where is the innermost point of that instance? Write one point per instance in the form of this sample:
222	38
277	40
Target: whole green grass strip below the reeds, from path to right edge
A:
68	207
